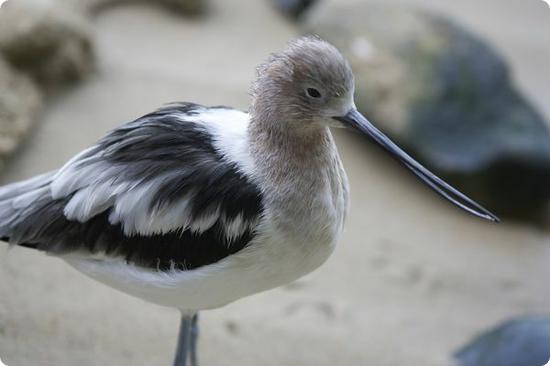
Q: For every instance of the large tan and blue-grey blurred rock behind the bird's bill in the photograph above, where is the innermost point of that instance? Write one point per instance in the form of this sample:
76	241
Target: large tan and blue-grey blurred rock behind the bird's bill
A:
448	98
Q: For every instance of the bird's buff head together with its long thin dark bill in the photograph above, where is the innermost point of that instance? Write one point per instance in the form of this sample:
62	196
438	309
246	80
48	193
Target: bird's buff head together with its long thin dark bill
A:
310	85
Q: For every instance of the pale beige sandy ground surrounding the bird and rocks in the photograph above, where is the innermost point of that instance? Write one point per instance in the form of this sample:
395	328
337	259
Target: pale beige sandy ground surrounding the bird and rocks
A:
412	280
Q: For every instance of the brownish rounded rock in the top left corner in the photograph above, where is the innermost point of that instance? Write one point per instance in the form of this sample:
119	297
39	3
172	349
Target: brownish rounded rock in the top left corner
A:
49	40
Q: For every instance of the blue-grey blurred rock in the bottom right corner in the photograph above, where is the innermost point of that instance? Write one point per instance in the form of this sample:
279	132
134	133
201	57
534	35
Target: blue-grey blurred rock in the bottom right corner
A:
519	342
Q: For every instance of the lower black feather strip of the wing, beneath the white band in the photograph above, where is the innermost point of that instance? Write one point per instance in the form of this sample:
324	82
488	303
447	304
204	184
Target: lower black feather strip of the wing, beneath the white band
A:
175	250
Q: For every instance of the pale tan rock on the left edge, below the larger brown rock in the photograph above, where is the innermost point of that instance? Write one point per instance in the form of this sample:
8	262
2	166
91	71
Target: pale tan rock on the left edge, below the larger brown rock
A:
19	104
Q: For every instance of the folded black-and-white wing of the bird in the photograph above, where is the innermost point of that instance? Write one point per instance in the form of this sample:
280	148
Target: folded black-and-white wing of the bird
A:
167	190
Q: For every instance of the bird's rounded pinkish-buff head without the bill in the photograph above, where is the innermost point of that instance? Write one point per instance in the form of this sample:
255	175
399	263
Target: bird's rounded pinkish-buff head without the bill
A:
308	83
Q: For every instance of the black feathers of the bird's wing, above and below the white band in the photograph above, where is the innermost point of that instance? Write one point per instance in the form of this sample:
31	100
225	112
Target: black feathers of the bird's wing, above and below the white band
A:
159	144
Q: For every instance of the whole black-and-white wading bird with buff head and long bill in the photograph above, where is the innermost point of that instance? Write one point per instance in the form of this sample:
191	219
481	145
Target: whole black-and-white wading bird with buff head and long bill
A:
194	207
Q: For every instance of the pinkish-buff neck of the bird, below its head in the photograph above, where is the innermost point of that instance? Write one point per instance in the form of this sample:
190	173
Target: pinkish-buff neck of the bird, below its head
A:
302	178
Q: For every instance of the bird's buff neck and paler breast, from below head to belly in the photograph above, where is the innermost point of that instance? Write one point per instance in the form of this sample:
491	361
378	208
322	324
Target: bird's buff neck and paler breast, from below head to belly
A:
305	192
